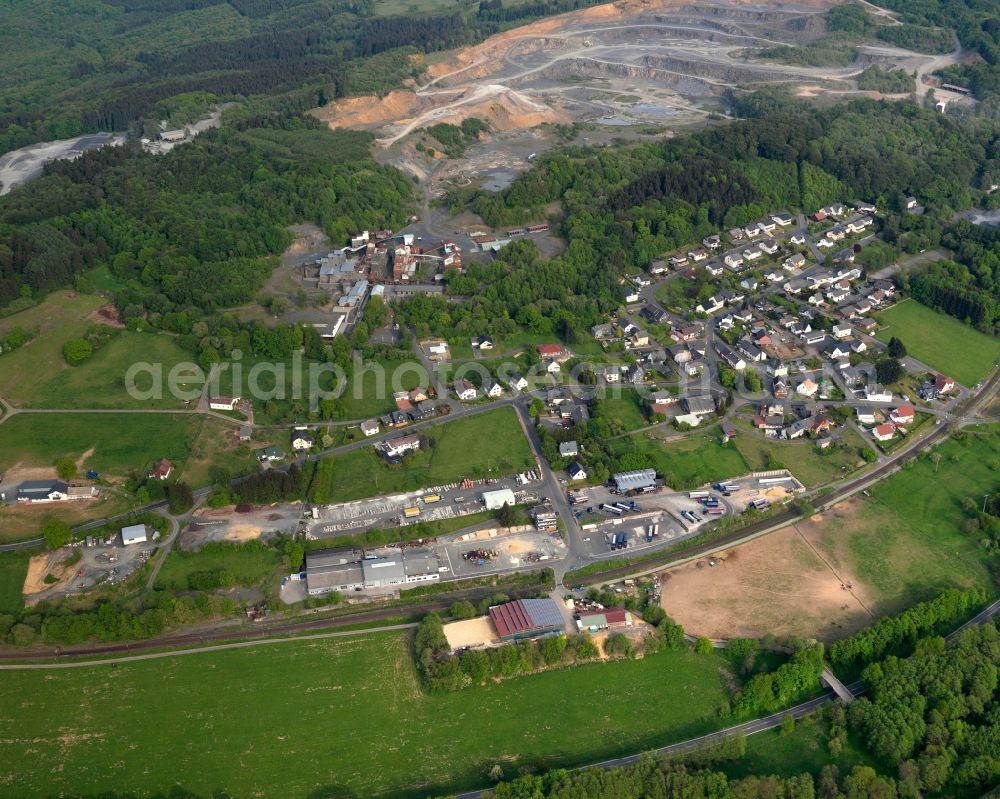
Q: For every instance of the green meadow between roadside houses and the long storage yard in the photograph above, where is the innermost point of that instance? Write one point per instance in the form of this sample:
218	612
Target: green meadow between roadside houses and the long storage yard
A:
489	443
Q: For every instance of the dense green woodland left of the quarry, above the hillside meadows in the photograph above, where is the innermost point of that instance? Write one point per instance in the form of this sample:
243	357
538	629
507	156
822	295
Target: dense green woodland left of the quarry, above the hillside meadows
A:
198	227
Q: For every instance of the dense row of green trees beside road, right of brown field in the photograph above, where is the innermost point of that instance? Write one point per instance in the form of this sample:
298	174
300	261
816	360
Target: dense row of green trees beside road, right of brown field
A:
896	635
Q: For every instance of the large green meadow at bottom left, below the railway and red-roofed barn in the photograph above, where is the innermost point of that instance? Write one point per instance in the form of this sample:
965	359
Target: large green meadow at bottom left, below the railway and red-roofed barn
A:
331	719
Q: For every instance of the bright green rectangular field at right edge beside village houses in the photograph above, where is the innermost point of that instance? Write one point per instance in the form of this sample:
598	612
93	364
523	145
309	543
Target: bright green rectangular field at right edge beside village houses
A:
943	343
